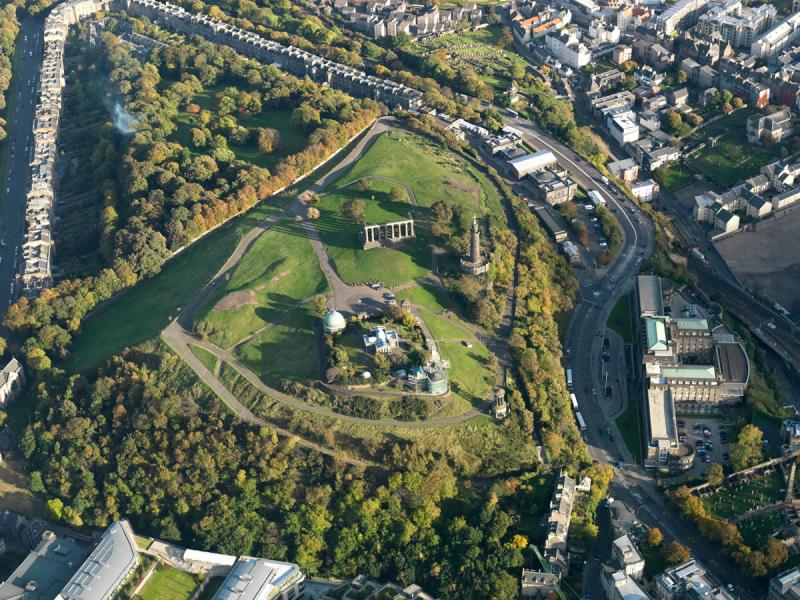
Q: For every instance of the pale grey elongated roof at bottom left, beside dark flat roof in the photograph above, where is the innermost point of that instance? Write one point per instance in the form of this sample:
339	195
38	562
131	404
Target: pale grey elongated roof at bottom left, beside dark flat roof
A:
107	566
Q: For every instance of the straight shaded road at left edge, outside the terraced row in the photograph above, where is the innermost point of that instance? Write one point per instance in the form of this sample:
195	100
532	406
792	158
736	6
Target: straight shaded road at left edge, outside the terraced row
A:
16	179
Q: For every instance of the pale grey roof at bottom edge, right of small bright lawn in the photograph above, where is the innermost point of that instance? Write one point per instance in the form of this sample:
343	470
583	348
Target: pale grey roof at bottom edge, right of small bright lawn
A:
257	579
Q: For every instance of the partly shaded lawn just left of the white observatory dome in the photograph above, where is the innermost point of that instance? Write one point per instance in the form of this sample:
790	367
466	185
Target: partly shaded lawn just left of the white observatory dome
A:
285	351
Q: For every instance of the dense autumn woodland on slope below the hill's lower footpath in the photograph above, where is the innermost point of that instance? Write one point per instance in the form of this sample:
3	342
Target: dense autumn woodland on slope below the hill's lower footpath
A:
143	439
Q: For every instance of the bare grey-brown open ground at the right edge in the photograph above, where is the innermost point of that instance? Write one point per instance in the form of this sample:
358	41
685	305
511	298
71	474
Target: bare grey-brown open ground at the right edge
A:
760	260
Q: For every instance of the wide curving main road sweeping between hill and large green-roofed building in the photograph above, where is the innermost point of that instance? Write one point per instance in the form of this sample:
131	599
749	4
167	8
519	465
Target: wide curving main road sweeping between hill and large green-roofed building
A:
600	291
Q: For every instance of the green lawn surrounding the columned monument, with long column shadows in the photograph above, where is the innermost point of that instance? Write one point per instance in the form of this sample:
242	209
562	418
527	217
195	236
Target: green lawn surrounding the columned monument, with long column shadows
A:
341	236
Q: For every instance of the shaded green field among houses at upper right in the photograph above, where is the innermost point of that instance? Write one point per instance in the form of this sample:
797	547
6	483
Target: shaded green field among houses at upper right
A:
732	159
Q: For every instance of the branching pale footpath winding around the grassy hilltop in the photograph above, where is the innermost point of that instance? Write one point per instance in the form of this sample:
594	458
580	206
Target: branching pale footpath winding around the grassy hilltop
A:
179	337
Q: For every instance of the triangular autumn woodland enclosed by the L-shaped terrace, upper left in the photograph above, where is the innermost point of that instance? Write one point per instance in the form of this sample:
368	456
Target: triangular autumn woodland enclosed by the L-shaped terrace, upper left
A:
159	194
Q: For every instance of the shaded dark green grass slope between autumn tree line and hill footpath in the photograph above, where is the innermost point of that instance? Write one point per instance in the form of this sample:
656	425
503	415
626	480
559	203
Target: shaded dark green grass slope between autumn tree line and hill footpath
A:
141	312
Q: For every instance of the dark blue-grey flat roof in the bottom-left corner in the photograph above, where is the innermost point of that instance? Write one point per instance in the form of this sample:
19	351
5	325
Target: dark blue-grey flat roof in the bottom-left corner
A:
49	566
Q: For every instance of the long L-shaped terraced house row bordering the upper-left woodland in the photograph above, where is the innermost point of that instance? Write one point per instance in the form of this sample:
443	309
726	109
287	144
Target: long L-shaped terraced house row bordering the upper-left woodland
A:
38	248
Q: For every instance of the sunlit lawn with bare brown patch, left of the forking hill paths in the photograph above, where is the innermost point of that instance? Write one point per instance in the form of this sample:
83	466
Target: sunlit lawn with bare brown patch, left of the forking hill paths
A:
279	270
